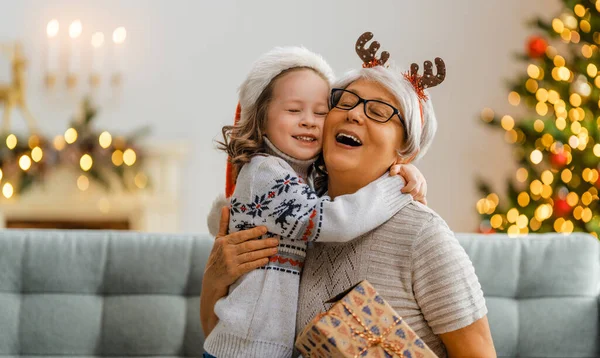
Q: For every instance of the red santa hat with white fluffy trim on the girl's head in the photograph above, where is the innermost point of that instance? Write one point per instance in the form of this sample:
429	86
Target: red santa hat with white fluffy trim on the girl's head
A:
263	71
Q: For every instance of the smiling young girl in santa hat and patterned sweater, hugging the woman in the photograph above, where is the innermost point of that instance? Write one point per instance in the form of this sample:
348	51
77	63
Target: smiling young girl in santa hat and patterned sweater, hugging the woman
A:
284	102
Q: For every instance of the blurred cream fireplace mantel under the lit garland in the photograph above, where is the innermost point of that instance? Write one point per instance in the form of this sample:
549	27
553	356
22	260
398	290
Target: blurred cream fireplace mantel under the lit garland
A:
155	209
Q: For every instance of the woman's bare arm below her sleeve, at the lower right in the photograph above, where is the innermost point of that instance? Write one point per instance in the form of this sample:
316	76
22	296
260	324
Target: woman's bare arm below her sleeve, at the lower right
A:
474	340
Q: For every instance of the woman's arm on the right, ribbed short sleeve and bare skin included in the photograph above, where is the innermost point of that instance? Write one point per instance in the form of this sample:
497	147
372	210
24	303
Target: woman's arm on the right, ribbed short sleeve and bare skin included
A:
448	291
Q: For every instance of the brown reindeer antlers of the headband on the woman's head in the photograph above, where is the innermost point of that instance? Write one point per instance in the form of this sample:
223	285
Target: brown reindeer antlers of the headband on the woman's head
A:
420	83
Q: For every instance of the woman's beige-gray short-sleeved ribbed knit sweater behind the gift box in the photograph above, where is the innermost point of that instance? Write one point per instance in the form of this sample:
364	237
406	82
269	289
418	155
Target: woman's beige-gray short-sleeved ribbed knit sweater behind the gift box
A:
416	264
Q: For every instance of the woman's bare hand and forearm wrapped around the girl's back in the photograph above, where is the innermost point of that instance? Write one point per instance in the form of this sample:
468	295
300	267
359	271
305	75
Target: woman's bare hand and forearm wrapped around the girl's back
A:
231	257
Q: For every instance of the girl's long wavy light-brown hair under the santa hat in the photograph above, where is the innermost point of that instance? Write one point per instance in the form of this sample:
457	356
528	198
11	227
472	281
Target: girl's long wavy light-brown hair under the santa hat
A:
244	140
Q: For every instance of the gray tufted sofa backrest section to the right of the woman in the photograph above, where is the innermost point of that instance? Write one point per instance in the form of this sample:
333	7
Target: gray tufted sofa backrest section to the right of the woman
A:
541	292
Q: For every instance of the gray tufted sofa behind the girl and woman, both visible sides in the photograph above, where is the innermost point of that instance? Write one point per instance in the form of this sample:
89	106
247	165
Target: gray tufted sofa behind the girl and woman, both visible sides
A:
90	294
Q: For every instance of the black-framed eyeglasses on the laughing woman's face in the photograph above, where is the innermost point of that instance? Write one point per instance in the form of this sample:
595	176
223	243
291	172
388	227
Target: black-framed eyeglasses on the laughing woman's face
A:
374	109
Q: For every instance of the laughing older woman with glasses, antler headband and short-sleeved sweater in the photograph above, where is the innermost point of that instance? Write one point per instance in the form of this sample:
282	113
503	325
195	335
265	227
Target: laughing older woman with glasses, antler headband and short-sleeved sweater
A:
413	260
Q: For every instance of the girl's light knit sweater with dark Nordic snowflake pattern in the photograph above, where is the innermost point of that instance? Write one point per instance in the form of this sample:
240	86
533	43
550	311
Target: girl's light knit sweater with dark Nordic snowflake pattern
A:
258	317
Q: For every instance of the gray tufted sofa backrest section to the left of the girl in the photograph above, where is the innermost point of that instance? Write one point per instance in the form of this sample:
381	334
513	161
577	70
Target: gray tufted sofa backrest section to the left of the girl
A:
100	294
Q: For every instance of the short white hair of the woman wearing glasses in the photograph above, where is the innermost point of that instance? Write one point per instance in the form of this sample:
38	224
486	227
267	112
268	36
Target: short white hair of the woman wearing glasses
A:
418	137
